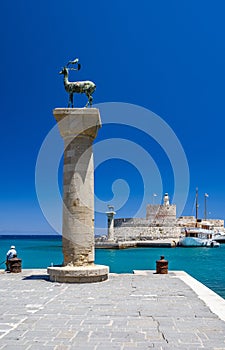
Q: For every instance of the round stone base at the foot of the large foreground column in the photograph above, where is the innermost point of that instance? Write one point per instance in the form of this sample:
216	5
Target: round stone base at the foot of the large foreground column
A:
78	274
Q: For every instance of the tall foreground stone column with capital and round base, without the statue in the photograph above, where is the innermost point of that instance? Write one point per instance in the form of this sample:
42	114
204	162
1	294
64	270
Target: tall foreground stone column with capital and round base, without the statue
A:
78	127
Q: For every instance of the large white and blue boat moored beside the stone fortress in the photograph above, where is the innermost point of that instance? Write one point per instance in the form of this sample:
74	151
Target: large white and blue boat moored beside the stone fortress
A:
198	237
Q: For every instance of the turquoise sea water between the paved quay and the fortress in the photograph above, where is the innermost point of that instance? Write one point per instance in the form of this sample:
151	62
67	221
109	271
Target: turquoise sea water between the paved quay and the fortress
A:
205	264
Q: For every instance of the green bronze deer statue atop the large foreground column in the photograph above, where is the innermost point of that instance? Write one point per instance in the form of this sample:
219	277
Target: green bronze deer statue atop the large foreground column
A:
87	87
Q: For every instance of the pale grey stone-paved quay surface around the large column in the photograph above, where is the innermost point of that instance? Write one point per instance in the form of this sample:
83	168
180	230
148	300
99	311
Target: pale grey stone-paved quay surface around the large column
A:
126	312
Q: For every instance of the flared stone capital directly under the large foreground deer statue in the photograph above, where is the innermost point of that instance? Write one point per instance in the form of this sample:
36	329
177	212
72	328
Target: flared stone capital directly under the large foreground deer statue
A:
77	121
